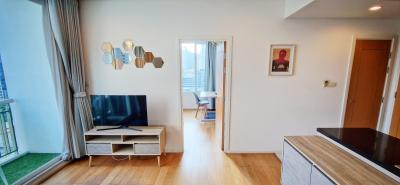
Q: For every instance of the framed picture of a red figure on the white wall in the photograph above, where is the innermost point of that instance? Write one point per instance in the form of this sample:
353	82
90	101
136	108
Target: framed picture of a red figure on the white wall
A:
281	60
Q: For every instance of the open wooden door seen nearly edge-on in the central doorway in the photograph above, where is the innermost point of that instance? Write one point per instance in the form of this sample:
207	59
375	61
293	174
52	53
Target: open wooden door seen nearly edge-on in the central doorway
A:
220	88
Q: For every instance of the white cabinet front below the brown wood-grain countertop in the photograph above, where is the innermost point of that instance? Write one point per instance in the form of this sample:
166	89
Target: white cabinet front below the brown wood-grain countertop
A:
297	170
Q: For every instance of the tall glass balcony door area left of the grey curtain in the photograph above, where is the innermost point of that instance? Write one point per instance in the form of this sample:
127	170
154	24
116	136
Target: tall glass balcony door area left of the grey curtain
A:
31	127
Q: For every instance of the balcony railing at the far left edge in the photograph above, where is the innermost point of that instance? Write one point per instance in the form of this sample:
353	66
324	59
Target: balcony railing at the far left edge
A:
8	143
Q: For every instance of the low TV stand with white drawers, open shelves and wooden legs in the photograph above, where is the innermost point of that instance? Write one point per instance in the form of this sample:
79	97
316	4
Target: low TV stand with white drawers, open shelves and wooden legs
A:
149	141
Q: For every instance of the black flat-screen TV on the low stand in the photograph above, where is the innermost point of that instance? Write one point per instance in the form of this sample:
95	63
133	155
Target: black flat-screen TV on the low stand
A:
115	110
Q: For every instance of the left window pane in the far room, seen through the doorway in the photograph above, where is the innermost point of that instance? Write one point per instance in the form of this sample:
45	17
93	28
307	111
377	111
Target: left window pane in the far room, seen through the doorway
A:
188	67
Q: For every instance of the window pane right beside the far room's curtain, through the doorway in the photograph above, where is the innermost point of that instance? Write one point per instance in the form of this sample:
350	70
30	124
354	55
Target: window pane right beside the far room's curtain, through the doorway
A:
201	66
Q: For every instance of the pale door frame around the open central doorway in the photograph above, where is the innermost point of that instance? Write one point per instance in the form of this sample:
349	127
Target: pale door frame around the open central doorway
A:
228	84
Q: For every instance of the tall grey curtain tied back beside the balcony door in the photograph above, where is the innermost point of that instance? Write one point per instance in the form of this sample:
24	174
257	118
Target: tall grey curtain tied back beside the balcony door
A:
61	22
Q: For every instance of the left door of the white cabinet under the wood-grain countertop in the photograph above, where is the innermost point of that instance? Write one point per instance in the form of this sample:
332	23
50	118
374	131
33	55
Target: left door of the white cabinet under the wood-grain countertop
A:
296	170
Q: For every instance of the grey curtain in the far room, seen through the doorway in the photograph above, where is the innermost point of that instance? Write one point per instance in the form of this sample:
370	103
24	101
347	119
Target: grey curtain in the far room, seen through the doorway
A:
210	69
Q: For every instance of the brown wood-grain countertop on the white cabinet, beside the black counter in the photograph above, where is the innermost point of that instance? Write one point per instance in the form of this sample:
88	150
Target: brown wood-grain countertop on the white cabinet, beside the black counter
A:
339	165
